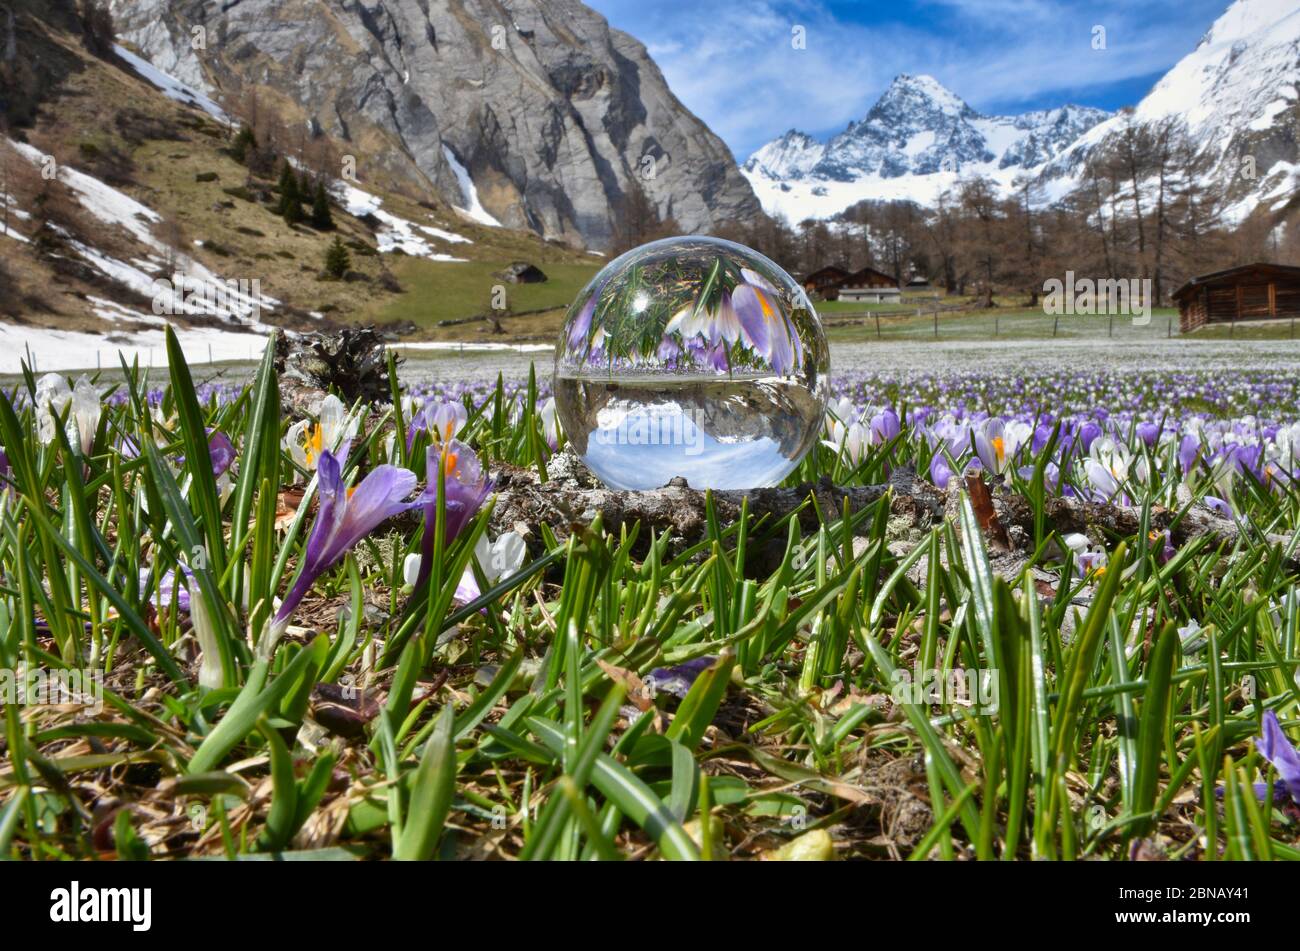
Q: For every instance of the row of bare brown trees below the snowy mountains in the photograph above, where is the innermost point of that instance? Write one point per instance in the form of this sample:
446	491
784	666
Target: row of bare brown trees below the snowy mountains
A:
1141	210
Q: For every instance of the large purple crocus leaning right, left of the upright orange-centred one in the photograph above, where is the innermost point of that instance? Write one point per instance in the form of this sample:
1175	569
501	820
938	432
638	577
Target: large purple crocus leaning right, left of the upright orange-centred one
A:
345	518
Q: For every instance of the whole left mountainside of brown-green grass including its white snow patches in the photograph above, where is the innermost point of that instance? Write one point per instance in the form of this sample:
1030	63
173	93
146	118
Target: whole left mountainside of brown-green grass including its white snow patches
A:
146	188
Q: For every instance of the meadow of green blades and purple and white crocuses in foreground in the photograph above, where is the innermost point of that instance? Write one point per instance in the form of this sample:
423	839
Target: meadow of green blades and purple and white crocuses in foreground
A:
1064	624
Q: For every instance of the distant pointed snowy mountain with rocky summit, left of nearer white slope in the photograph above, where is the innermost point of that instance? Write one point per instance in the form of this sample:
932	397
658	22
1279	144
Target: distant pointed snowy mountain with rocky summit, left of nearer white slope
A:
916	141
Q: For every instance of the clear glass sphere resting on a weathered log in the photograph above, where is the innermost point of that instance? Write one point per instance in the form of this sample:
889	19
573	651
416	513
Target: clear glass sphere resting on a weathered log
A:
692	358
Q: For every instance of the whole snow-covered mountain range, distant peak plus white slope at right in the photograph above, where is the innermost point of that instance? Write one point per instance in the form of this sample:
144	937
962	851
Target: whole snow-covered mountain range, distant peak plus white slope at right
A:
1238	94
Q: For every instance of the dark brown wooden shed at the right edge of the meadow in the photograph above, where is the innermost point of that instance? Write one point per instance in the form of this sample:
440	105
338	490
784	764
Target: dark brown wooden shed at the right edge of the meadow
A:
1247	293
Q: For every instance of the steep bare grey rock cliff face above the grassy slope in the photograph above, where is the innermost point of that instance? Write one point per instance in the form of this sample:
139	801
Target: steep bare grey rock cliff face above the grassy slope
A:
556	116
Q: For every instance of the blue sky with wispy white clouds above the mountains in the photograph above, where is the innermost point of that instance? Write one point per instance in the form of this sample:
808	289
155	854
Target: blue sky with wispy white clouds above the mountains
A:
734	64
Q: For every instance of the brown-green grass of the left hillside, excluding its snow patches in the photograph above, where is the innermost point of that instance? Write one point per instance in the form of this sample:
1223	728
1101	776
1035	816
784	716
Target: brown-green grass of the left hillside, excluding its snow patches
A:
97	116
